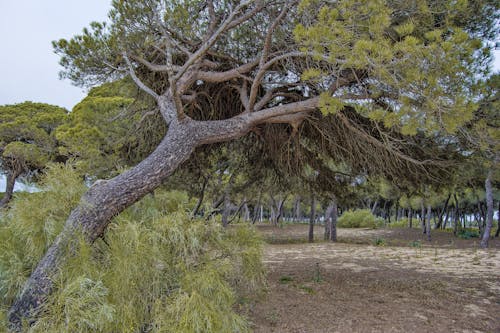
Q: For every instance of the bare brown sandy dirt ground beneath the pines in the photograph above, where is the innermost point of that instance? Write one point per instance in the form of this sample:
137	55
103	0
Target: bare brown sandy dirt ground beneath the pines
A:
445	286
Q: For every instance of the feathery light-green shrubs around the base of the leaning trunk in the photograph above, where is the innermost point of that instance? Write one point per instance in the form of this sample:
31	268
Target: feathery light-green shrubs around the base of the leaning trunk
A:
156	270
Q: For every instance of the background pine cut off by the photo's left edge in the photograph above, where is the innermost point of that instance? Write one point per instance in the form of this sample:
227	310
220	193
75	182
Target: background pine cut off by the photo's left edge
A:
27	141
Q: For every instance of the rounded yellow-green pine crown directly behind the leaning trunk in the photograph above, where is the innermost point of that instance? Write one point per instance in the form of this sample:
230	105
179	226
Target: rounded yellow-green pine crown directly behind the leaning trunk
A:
109	130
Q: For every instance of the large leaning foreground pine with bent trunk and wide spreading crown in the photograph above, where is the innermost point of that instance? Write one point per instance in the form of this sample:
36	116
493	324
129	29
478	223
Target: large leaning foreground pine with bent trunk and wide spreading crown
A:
409	66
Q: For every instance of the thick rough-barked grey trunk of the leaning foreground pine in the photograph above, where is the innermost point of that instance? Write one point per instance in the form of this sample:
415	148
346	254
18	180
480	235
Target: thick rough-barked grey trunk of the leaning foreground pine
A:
105	199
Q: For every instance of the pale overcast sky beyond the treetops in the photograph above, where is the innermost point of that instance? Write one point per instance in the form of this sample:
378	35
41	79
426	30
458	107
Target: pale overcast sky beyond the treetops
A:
28	66
